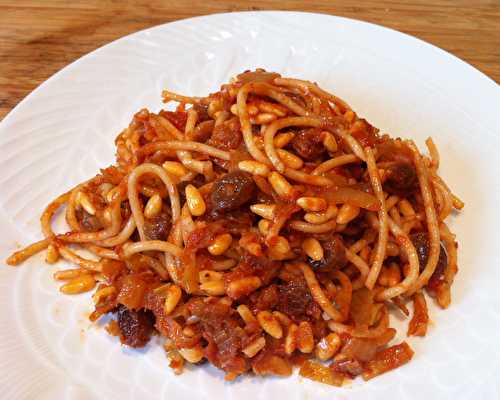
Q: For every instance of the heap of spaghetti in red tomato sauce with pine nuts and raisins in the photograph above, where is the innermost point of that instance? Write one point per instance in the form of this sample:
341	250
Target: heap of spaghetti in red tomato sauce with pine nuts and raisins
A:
259	228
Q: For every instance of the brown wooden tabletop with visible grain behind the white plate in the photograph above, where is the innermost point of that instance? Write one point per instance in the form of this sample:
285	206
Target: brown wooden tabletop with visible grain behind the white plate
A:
37	38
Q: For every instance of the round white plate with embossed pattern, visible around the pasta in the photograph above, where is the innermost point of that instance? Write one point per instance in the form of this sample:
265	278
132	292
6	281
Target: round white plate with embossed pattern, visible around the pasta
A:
63	132
